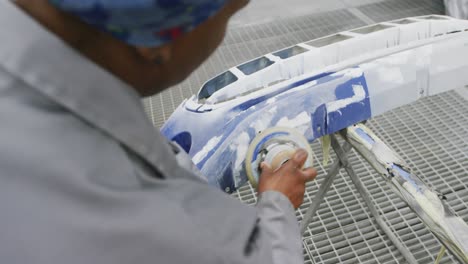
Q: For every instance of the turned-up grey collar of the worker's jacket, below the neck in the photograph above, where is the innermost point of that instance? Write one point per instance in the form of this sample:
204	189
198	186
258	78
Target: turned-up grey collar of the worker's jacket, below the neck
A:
44	62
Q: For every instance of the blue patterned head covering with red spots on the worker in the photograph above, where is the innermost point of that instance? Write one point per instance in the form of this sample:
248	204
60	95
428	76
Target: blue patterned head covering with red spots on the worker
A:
146	23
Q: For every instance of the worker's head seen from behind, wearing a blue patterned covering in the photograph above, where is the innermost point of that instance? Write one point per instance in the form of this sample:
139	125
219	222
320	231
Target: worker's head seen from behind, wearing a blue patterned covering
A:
150	44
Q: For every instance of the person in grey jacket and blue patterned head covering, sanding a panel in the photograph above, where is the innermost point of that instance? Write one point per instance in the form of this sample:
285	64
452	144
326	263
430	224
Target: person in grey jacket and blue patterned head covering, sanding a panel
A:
84	175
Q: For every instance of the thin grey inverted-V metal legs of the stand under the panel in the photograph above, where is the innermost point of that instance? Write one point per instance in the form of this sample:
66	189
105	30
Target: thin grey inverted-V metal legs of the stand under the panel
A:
342	163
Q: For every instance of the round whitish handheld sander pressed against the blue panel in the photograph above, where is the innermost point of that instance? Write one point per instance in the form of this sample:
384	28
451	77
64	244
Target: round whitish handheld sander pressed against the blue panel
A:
275	146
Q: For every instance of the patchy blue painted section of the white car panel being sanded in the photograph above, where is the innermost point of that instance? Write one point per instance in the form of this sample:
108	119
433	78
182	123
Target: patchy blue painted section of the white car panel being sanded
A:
309	95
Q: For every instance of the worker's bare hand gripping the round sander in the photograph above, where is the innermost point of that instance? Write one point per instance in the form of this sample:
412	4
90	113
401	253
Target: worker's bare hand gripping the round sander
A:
289	179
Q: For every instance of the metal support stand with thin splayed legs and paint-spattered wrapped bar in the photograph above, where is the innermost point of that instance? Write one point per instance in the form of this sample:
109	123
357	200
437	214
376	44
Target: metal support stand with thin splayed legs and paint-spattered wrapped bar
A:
402	182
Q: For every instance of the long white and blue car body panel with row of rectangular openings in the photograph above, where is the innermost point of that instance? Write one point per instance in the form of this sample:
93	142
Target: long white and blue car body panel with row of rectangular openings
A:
319	87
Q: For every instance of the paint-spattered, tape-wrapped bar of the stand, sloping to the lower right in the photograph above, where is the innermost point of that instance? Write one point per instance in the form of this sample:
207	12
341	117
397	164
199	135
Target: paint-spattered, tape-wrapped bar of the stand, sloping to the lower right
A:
428	205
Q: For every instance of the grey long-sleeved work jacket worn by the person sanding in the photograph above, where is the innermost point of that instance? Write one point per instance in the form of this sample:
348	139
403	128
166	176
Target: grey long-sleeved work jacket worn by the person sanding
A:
85	177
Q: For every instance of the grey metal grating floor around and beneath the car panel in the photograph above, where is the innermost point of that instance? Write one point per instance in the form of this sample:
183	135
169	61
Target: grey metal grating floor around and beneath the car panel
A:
431	134
